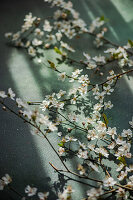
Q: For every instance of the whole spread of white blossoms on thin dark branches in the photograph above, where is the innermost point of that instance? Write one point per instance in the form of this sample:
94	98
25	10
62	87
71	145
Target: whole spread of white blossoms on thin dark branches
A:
101	142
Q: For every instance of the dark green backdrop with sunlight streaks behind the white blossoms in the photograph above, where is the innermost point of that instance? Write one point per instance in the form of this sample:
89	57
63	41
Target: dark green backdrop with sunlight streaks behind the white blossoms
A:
26	157
